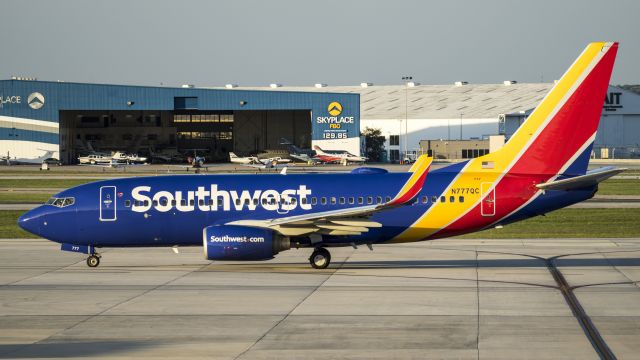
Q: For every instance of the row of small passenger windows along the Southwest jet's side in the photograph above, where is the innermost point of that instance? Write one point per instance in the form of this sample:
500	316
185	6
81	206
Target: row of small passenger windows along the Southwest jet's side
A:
370	200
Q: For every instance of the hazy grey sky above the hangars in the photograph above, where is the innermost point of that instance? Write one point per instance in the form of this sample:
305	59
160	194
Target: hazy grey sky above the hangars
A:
297	42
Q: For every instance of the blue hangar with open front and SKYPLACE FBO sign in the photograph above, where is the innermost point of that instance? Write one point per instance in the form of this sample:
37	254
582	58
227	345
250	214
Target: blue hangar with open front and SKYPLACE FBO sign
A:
41	119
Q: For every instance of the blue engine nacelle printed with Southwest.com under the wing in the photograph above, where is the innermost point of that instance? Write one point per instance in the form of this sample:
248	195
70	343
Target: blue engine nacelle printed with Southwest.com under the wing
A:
230	242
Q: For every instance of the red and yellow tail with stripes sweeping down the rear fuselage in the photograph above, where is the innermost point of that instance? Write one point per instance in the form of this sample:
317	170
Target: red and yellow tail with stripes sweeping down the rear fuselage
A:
551	140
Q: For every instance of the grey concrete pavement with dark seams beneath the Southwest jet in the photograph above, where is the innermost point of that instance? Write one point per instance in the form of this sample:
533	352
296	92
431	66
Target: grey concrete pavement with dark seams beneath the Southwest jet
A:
446	299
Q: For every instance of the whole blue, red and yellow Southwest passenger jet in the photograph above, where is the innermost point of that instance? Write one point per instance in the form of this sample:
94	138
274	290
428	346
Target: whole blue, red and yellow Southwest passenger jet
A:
543	167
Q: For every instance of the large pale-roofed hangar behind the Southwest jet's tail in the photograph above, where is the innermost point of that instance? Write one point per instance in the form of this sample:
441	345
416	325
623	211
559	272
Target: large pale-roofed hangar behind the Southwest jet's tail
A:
465	116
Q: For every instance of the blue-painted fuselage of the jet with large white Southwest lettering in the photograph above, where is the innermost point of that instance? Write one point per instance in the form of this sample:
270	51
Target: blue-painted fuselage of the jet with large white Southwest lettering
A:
174	210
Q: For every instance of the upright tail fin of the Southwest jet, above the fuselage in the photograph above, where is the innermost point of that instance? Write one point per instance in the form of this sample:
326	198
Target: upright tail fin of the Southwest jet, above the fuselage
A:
558	135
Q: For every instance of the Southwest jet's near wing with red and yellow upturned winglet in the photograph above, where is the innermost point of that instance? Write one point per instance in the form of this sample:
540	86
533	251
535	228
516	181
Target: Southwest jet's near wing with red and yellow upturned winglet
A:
343	222
